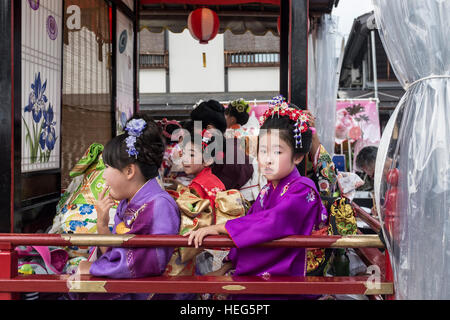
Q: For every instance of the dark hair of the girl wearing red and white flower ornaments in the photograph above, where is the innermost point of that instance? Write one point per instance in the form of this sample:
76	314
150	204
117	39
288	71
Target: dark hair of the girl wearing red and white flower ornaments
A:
286	127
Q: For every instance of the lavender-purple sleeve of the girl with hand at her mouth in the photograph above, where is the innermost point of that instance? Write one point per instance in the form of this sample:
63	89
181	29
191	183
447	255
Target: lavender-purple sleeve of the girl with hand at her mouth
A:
161	216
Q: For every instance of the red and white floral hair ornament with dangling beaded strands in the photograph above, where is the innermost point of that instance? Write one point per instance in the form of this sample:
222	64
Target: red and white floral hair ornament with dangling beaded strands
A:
280	108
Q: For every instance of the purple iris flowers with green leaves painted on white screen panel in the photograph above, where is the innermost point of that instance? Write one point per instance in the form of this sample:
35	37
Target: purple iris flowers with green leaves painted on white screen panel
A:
40	134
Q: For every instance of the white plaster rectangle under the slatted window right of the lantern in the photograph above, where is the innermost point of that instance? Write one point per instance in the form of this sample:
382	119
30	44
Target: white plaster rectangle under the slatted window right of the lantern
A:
254	79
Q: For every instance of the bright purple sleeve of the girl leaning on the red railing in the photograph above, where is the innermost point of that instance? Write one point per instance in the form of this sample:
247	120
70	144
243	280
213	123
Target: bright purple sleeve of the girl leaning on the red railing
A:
294	213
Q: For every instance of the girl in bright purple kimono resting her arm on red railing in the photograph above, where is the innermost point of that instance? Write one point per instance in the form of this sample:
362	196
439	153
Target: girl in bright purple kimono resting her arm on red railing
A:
288	205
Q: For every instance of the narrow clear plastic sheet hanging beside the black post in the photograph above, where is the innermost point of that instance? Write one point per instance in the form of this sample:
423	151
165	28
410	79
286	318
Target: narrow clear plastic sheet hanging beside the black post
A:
322	78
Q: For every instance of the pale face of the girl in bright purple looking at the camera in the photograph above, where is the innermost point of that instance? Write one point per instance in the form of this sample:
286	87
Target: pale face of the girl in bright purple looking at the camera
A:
275	157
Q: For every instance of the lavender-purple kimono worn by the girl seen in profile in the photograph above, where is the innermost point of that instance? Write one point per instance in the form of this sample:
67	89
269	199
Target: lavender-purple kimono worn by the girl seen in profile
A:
151	211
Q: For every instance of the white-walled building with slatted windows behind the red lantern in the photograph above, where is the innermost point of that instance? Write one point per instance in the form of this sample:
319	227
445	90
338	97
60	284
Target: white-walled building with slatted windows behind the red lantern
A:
176	71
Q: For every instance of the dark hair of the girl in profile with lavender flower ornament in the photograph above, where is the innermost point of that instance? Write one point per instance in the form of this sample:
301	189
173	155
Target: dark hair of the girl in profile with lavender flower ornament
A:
150	146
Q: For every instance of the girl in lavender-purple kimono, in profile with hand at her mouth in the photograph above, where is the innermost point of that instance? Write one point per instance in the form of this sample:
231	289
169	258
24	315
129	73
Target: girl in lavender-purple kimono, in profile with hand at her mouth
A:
132	161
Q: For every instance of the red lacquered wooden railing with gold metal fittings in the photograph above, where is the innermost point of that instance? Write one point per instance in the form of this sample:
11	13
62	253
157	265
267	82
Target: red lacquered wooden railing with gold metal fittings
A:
11	282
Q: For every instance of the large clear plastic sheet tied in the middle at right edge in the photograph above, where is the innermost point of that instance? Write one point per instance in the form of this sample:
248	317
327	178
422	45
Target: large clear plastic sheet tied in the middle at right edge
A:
412	175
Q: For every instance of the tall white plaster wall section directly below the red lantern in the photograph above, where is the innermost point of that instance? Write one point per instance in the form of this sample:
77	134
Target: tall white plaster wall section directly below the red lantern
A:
187	73
